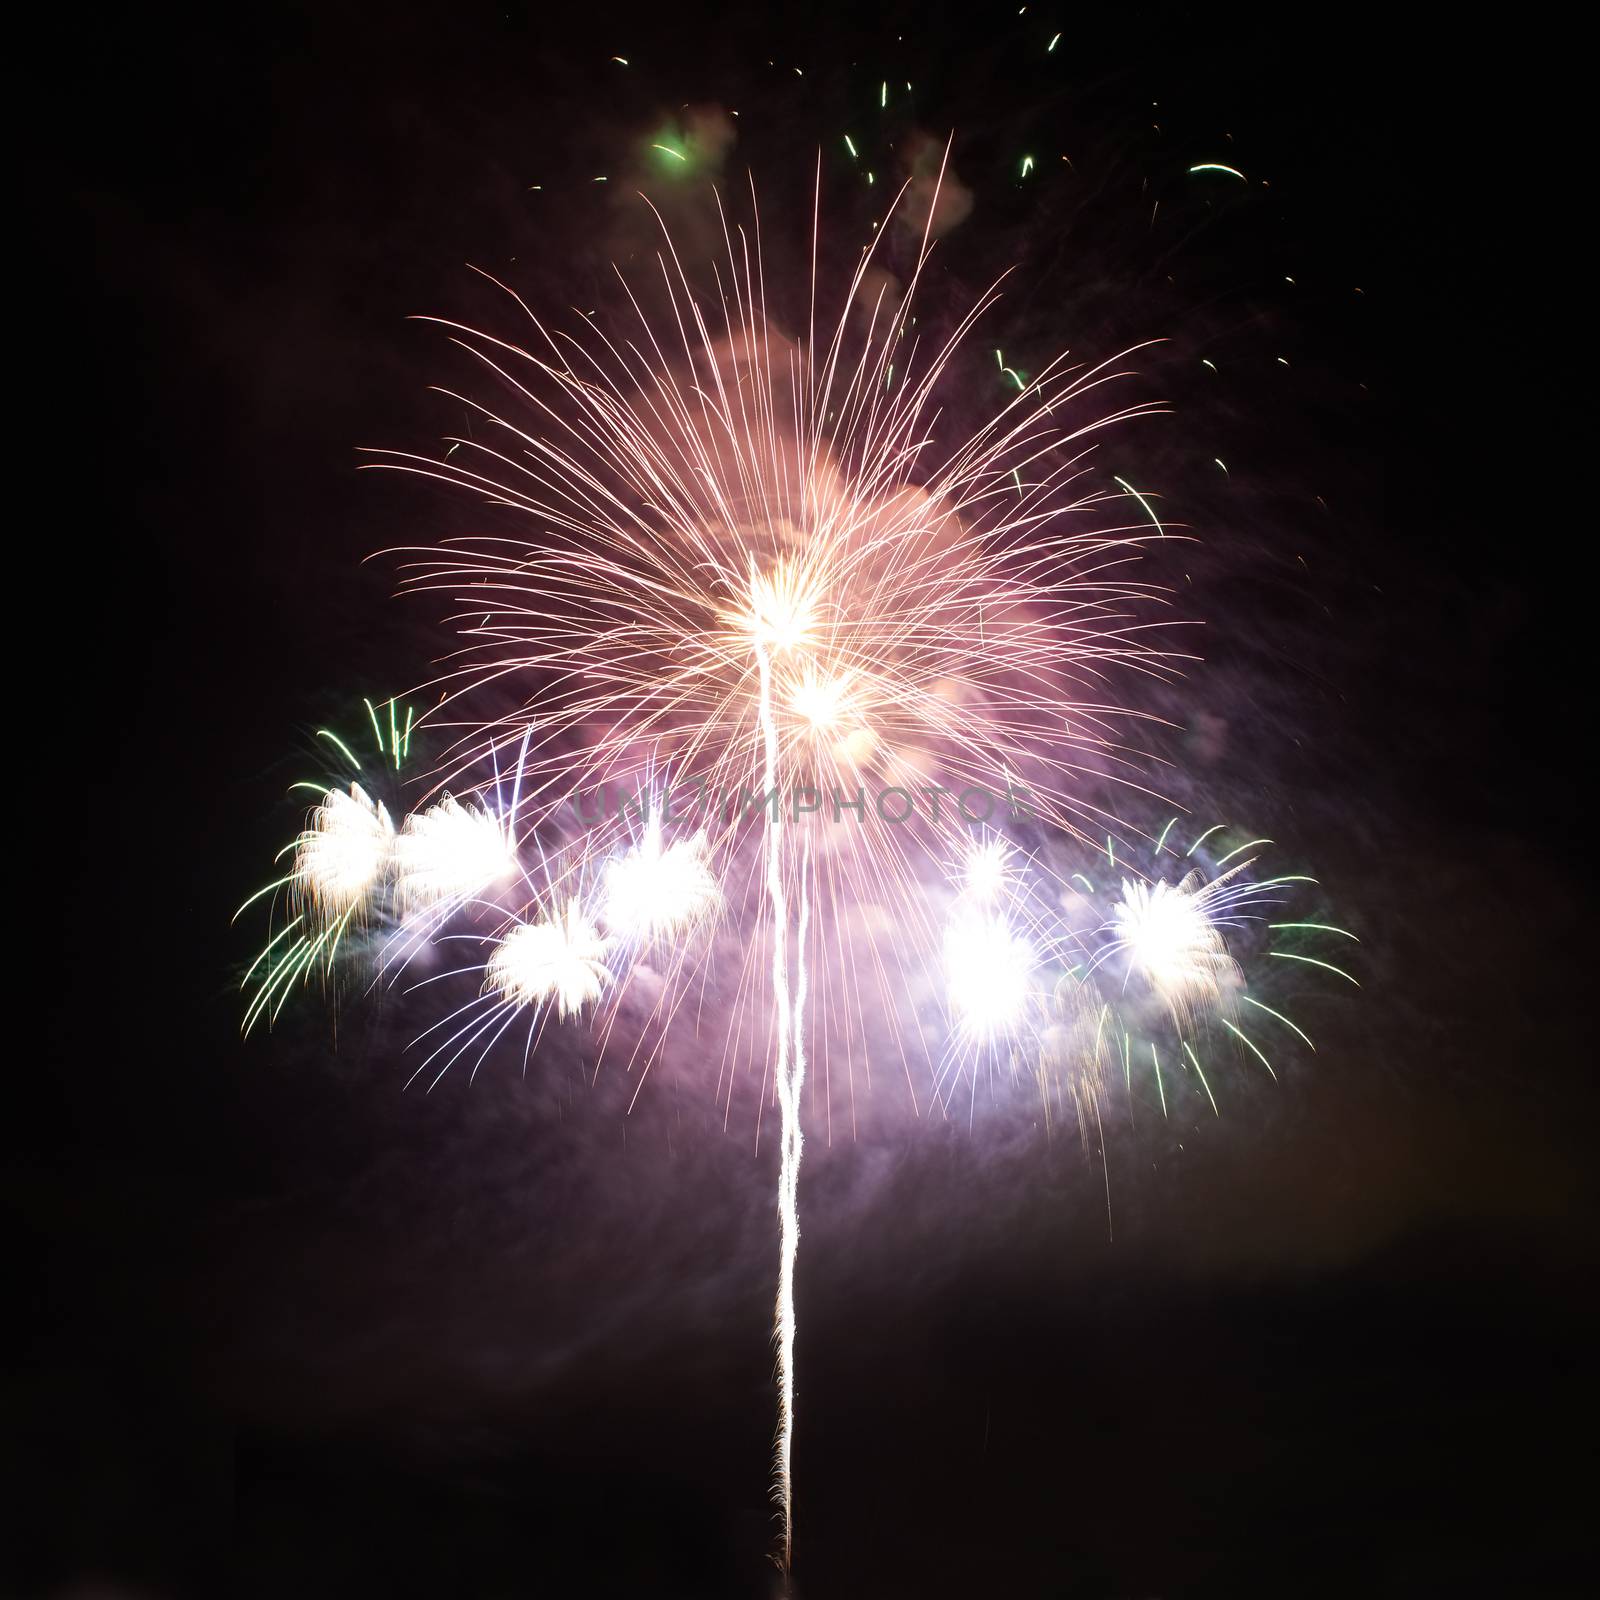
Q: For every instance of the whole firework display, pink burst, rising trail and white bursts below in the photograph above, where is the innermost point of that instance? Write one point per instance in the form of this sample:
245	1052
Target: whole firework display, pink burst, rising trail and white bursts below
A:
762	567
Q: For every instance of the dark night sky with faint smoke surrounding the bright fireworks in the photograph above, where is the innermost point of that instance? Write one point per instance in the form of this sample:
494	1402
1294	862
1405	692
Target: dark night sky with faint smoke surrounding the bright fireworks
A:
289	1332
